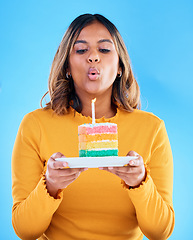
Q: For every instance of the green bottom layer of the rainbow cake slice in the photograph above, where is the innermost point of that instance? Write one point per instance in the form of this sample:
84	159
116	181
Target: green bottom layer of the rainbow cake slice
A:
98	153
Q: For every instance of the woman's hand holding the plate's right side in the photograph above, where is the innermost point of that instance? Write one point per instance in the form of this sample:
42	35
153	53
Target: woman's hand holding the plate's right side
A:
132	174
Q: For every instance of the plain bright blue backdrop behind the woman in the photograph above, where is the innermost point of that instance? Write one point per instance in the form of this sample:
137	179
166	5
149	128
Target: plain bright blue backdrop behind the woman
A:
159	38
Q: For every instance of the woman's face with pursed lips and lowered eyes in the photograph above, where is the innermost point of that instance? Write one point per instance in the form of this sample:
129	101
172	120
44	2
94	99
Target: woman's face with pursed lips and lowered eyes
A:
94	61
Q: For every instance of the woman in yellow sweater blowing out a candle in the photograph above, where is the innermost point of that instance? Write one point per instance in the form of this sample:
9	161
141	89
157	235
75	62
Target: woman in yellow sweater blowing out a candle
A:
55	202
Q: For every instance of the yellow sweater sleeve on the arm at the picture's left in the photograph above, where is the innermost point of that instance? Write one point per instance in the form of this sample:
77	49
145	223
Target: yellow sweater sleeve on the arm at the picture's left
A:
33	207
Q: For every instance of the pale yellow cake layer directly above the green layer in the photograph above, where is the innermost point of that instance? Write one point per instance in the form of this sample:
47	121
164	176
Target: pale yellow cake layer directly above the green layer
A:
98	145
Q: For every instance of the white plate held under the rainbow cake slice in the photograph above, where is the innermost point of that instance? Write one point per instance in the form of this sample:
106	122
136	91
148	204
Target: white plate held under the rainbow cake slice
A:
95	162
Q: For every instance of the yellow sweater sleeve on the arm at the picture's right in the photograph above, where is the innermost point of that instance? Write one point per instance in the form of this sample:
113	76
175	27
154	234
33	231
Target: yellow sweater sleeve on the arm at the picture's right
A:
153	199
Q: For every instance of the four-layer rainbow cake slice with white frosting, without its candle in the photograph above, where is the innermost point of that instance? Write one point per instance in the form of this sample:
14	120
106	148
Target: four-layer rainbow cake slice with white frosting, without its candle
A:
98	140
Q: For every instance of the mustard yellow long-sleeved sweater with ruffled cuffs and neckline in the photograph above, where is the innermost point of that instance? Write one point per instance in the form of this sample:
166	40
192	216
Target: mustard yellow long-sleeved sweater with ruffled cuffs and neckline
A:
96	205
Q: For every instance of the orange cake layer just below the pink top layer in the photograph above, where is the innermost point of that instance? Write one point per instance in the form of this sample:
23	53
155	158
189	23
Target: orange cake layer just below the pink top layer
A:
97	137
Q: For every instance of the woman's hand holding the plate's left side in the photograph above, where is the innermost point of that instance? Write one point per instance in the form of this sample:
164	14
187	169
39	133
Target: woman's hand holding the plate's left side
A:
58	176
